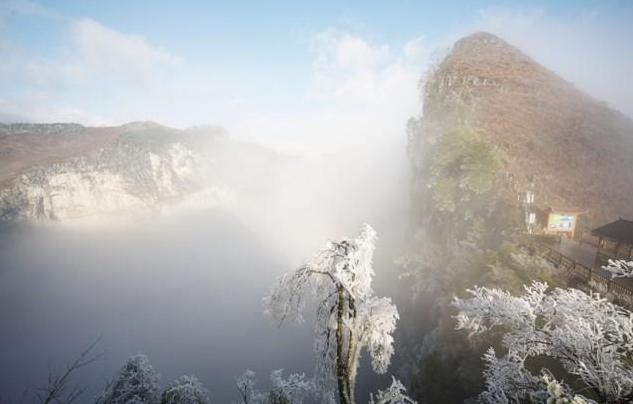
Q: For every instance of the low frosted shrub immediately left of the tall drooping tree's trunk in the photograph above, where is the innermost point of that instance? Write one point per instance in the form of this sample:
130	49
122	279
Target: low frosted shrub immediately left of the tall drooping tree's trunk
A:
292	390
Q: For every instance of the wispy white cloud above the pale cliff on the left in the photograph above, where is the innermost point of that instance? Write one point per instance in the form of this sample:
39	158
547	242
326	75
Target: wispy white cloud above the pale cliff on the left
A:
100	76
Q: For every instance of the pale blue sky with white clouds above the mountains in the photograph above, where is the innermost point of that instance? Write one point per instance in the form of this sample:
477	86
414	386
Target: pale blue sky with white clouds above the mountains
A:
296	74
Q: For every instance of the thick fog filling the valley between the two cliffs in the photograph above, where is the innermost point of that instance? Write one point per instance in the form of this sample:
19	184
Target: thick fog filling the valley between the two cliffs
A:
185	286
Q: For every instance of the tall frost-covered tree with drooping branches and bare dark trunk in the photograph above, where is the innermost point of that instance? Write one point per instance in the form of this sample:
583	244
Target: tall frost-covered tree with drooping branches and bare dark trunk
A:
348	315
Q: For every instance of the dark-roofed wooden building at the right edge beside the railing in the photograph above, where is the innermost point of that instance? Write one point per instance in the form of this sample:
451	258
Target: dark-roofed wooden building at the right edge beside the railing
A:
615	241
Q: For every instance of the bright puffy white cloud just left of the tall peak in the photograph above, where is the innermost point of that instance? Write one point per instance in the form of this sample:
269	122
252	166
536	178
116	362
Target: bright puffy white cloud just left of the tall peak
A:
367	90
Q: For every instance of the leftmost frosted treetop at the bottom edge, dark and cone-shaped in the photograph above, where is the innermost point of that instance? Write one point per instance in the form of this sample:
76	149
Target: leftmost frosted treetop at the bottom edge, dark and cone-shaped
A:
136	382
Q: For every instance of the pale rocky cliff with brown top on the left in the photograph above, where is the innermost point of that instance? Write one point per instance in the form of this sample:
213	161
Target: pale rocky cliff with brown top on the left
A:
63	171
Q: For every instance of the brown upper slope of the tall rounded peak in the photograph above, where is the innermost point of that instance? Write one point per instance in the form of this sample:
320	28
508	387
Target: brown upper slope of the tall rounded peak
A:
573	149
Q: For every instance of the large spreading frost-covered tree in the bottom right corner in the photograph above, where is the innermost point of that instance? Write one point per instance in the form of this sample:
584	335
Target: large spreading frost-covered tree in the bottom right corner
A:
590	337
